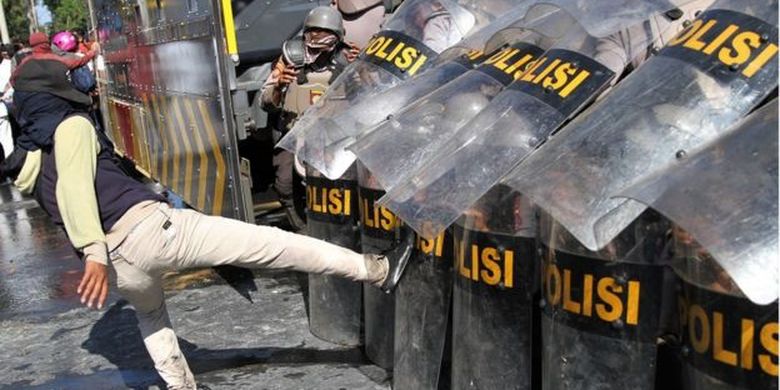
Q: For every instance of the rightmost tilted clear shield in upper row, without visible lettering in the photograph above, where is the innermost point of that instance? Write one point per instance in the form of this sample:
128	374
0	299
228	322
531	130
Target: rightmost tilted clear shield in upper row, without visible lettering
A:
725	195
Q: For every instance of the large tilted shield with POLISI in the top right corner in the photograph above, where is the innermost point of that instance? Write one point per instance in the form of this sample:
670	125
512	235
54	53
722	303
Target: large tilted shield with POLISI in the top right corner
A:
708	77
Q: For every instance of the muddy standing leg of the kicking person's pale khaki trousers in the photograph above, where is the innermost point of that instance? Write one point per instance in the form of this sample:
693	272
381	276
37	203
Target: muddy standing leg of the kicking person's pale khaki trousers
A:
144	292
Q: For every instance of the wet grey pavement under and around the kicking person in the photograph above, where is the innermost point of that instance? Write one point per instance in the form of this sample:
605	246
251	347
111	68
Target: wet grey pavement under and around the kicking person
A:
49	341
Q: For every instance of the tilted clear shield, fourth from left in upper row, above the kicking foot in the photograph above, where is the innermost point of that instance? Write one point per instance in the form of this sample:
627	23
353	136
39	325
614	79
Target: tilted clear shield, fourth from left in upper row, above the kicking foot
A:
565	79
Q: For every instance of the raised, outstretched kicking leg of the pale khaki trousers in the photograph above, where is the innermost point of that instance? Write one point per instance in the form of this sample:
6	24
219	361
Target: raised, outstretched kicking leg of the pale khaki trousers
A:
192	239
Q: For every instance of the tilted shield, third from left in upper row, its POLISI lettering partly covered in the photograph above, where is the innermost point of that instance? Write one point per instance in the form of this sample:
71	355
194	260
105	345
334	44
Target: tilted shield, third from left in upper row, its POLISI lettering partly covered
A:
400	144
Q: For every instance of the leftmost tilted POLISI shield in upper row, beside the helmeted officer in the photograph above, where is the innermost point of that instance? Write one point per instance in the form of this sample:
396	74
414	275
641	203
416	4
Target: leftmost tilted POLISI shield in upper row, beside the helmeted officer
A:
407	45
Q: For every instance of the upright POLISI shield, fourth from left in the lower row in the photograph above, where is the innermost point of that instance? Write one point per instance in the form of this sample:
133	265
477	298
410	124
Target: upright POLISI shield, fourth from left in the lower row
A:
494	285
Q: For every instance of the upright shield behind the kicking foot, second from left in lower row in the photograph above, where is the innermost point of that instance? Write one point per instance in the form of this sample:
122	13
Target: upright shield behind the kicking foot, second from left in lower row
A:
378	231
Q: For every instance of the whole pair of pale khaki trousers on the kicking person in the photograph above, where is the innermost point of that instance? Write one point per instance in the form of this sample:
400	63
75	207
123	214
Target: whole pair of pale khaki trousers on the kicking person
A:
173	239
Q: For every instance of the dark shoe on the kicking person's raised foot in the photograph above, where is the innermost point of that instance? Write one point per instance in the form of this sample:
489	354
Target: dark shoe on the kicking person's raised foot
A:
385	270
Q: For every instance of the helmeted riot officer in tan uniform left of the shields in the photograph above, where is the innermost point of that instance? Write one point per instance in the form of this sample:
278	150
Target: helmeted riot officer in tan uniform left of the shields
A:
300	76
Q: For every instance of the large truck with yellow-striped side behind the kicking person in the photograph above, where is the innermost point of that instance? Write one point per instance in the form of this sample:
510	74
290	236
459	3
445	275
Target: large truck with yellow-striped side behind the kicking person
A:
178	82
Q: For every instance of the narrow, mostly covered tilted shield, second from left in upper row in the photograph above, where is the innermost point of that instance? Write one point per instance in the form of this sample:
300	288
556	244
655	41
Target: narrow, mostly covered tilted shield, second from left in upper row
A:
339	131
